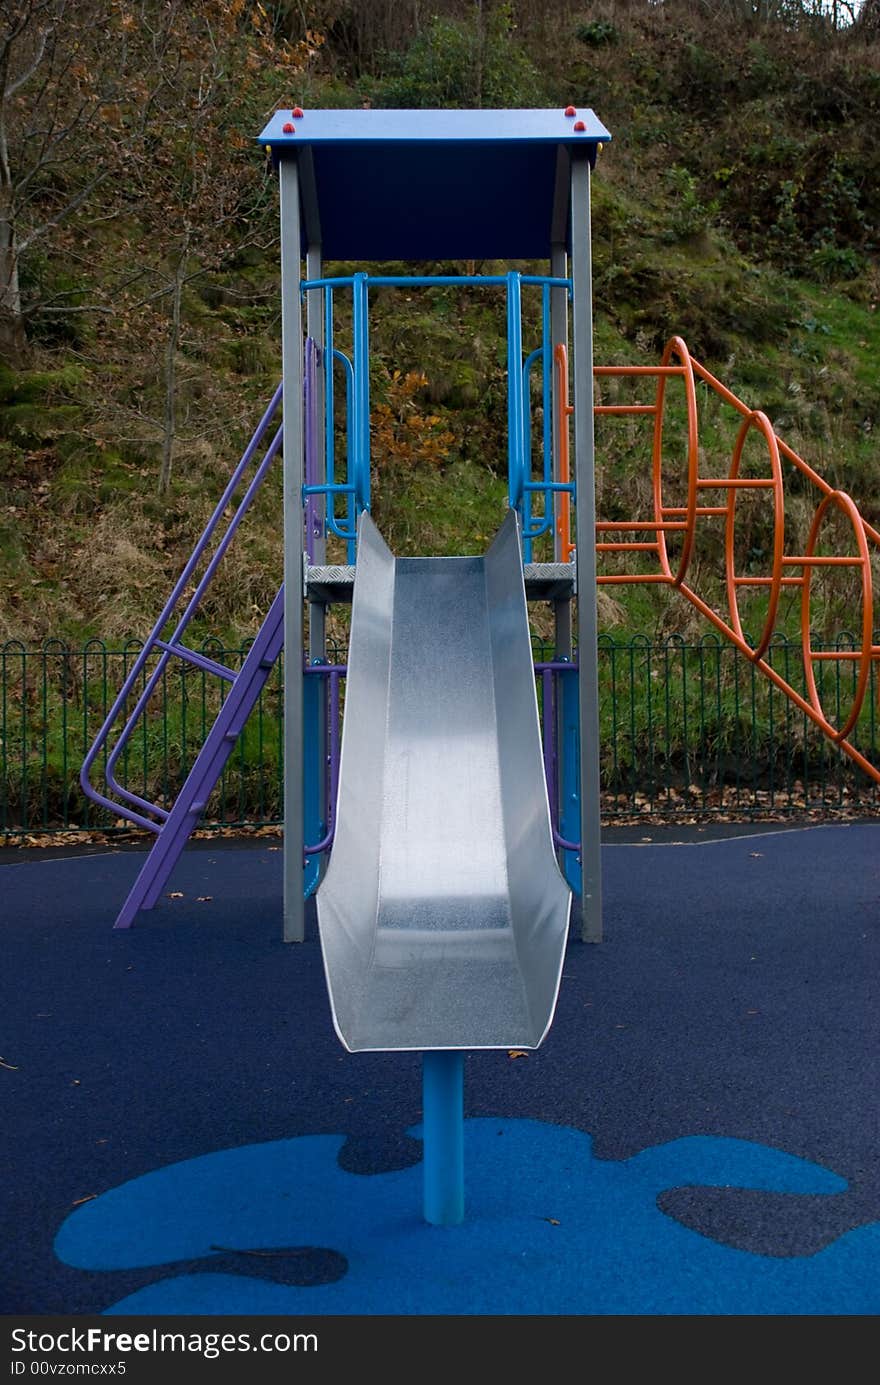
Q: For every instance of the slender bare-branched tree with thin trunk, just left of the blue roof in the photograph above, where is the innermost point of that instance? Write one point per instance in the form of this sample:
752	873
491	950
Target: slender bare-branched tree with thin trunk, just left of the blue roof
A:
200	193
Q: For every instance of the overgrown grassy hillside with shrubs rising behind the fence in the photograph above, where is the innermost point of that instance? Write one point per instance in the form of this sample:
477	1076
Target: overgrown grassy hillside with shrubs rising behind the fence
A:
80	456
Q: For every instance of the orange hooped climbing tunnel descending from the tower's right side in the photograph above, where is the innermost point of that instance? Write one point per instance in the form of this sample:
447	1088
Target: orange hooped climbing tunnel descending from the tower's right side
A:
688	499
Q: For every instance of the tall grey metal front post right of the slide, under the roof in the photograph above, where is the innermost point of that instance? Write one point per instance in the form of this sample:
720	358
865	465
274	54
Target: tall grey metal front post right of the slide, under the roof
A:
586	538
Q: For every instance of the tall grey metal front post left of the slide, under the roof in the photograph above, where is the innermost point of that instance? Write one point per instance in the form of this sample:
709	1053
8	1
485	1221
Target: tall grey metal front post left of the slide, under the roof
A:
292	362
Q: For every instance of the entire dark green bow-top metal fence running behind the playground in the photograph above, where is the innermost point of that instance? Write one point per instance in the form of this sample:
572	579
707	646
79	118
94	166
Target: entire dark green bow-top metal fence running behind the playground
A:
688	729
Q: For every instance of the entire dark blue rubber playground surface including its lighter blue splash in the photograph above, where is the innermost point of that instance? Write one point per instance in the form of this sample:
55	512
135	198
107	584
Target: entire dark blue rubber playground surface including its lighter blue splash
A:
699	1135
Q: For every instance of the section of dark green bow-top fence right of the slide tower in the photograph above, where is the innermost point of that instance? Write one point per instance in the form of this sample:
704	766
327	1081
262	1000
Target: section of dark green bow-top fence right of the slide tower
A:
695	729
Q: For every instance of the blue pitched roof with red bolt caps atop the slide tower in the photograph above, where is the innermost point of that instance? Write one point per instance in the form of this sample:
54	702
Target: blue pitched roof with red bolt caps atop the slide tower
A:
434	185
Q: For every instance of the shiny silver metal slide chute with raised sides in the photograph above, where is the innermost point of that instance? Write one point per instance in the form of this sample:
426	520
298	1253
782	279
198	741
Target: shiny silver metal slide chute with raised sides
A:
443	915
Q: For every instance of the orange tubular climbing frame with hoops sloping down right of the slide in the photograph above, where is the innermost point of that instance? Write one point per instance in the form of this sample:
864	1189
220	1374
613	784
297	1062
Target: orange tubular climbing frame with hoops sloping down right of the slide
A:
683	519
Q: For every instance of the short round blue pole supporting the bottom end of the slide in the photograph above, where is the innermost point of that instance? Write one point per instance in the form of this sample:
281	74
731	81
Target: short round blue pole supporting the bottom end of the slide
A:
443	1106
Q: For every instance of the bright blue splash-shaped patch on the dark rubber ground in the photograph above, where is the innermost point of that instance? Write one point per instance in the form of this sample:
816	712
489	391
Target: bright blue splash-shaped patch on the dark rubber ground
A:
549	1229
